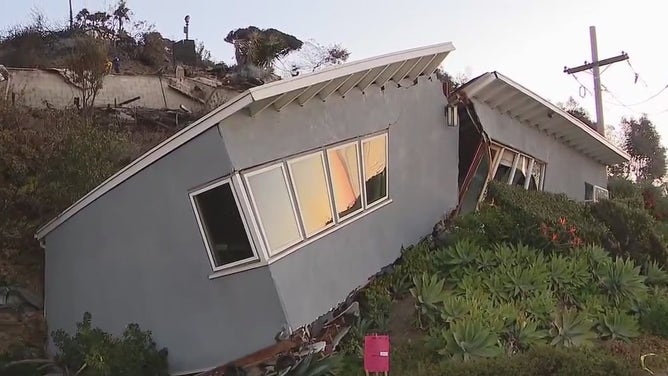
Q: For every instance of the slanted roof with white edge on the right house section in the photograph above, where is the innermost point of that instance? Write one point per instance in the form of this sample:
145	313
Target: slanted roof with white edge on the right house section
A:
509	97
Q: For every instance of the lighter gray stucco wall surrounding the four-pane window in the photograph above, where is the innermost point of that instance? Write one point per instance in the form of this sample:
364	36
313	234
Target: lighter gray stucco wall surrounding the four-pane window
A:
423	158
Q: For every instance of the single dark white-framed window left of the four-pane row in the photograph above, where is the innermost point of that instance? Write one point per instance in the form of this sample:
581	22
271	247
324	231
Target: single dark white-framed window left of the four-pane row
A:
225	233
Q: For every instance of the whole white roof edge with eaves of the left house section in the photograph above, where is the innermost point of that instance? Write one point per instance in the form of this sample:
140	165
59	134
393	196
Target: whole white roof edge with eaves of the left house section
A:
336	80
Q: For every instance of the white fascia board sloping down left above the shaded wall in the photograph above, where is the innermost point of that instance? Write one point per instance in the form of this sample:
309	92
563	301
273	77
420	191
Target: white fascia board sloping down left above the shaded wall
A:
159	151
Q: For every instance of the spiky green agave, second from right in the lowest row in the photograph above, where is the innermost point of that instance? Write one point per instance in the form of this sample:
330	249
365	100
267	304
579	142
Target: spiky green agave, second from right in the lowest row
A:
571	328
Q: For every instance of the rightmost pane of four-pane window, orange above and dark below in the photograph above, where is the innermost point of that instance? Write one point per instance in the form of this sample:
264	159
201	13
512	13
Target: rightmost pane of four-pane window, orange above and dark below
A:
374	162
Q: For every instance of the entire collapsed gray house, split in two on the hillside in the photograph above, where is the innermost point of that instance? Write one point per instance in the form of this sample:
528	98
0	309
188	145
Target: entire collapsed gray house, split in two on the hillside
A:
268	211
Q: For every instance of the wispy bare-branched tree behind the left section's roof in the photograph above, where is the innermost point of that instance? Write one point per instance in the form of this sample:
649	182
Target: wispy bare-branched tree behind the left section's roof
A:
311	57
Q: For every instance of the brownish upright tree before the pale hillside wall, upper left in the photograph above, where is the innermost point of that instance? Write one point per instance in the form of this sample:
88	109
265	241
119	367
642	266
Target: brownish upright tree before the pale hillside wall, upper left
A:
87	65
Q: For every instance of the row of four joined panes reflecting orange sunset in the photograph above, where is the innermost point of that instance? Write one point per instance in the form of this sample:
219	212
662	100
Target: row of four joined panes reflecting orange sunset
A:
301	197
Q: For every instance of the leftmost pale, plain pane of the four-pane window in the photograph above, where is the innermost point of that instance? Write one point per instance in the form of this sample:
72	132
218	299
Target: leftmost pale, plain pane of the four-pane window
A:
273	203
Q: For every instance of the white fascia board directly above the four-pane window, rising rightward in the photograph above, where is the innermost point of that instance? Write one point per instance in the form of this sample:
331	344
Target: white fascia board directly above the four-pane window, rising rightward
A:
283	86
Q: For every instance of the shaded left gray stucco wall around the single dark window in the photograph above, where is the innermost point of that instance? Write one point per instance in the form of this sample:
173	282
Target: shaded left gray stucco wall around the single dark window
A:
136	255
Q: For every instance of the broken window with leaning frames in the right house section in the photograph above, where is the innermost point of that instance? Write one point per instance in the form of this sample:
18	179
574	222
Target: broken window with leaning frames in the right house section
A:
515	168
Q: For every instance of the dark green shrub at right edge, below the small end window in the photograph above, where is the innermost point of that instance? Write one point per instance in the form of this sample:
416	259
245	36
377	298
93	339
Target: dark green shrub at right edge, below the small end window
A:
633	232
